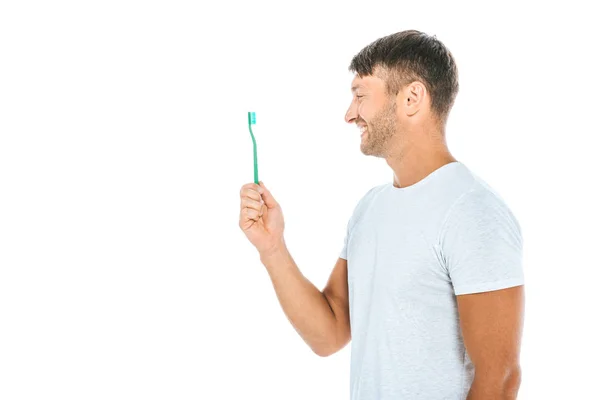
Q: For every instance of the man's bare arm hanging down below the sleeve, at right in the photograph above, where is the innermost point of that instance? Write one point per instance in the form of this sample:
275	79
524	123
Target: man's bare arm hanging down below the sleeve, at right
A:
492	325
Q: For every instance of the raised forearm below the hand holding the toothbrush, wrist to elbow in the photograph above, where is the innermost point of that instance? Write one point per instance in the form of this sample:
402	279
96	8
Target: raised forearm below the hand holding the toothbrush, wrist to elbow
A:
305	306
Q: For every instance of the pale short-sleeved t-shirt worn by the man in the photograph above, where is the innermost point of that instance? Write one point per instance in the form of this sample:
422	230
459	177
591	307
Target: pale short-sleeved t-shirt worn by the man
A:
410	251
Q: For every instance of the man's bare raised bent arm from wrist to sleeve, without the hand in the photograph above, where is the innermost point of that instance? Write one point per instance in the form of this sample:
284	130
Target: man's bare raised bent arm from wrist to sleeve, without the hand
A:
321	318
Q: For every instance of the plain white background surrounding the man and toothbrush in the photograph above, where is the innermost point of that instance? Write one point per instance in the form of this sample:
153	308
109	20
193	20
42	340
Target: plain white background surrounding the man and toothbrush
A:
124	143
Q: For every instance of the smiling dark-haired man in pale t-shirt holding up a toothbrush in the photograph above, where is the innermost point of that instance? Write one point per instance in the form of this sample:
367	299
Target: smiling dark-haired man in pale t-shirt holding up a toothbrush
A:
429	283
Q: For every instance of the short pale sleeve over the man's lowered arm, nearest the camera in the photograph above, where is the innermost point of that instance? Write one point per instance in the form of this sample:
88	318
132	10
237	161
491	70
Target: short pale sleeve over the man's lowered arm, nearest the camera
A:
481	244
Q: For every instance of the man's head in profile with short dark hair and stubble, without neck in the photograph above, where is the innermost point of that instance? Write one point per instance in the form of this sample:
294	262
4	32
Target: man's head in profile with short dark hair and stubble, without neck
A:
403	90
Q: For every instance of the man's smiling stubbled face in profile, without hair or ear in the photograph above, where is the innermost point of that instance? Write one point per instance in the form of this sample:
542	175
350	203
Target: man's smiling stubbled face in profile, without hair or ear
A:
374	112
